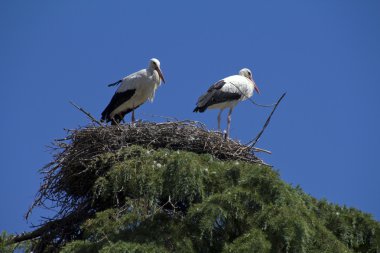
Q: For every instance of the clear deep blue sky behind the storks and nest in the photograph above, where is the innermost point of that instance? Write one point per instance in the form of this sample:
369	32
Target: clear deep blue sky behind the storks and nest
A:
325	136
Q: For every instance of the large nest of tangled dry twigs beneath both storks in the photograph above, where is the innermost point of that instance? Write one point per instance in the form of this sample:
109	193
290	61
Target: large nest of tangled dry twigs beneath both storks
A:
68	177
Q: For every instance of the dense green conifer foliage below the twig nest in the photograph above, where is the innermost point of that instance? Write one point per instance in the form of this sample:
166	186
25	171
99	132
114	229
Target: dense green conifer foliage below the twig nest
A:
177	201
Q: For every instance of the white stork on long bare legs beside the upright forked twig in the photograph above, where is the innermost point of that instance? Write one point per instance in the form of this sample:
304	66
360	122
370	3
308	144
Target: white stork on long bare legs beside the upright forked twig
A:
226	93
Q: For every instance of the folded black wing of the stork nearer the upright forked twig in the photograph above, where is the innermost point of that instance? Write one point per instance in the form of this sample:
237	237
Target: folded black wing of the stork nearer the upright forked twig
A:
215	95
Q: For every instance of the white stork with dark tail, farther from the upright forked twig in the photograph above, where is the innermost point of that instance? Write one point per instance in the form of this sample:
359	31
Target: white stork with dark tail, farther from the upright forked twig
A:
134	90
